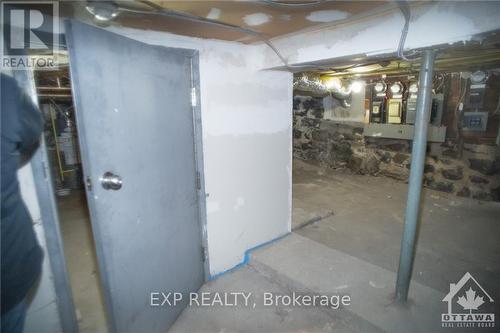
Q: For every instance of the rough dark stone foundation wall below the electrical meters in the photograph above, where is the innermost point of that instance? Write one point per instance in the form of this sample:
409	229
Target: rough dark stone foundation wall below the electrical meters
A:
474	172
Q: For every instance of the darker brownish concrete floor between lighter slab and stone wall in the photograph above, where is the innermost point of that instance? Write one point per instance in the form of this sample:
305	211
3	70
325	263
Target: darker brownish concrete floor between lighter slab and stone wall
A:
456	235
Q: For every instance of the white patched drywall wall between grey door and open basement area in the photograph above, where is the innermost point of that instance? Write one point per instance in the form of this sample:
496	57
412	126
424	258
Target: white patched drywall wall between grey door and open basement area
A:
247	131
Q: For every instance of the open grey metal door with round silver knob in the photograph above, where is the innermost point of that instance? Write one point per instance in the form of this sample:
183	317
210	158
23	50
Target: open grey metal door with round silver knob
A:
135	121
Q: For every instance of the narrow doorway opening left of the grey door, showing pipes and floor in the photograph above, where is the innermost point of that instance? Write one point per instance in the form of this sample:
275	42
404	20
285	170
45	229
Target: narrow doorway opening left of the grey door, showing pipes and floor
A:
61	138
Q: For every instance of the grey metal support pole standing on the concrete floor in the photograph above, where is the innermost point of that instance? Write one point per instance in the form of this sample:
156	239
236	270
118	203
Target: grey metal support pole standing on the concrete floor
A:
416	174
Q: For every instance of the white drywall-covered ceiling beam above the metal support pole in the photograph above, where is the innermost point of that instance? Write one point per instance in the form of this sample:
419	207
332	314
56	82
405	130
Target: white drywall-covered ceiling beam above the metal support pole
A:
432	23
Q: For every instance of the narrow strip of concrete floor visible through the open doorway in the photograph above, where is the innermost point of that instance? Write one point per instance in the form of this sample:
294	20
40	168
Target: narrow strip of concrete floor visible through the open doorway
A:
81	262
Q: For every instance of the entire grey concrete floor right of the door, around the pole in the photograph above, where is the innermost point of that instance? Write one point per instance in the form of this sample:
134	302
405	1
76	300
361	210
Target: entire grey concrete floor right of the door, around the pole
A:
356	251
